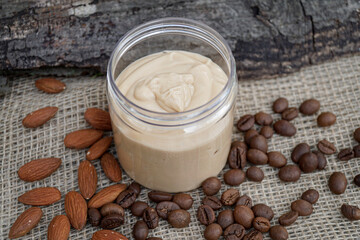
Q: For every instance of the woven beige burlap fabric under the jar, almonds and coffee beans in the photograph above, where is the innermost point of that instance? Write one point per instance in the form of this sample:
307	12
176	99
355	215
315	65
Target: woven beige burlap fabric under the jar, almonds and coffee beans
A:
335	84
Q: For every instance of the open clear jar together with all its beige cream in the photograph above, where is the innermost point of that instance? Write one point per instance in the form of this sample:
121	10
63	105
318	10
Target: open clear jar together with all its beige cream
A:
171	87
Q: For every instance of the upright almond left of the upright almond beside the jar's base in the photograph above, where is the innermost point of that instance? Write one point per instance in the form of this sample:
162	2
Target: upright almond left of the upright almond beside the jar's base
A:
87	179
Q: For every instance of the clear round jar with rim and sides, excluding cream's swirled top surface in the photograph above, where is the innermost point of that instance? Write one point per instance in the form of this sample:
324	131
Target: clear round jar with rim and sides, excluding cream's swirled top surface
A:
172	152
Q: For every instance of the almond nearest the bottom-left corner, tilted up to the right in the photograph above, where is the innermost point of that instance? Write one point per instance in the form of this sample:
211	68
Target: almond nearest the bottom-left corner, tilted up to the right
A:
25	222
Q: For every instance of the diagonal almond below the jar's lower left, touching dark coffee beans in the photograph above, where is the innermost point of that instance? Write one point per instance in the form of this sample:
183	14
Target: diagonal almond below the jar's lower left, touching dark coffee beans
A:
106	195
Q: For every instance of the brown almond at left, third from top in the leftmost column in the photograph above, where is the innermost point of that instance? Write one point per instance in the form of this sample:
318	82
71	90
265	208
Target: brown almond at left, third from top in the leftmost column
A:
38	169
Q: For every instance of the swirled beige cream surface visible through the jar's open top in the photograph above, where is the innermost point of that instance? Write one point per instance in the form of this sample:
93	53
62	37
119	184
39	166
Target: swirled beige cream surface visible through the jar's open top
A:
171	81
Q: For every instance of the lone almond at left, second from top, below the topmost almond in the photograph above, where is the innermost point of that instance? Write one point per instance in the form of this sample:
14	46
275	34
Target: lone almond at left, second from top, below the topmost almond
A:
39	117
